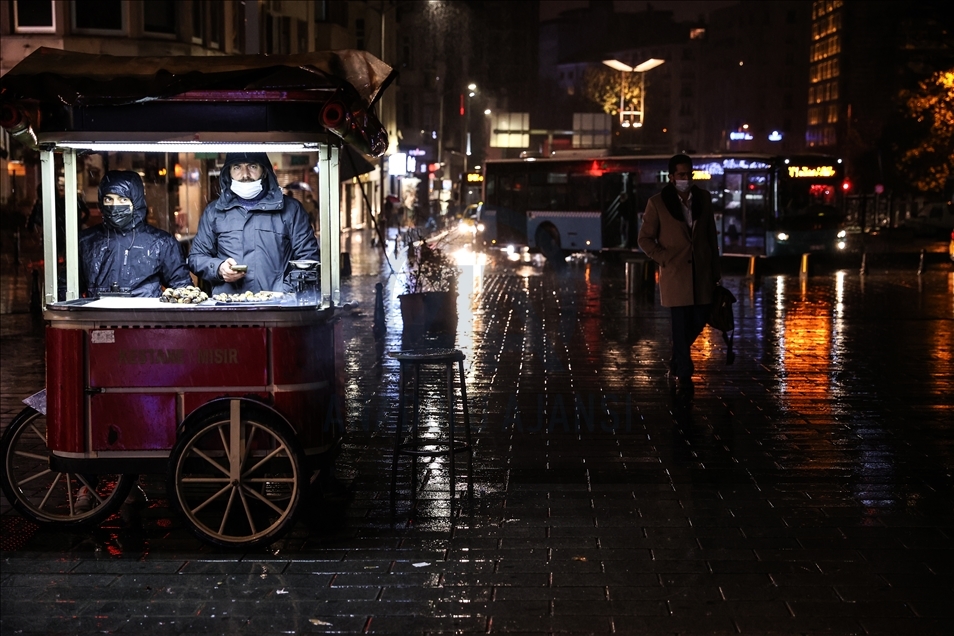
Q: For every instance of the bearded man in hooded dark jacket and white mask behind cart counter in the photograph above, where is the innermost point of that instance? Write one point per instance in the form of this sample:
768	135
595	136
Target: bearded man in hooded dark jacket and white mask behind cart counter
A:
252	223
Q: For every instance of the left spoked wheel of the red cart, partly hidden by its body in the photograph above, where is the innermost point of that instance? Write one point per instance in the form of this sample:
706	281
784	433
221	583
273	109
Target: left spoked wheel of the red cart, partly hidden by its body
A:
48	497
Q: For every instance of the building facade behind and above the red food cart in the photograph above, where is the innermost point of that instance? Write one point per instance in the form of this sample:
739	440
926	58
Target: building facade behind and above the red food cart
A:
179	185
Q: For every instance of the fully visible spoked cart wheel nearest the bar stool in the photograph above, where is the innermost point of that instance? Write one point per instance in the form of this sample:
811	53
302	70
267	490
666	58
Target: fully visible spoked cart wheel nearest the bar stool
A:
237	476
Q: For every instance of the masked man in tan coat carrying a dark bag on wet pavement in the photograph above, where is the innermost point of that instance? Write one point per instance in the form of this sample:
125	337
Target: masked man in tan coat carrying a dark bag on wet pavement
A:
679	233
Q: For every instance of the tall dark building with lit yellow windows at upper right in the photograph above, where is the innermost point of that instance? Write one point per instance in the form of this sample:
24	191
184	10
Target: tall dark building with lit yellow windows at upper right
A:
863	57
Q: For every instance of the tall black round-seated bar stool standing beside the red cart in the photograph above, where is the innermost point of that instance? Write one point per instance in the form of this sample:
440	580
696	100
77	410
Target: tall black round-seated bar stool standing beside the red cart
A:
412	361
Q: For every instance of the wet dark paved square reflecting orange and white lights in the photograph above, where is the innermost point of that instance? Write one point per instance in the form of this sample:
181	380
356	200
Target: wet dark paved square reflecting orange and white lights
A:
806	489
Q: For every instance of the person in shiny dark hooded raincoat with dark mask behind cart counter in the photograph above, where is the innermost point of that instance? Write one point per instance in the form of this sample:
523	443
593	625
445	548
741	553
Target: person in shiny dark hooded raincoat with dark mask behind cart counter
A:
124	253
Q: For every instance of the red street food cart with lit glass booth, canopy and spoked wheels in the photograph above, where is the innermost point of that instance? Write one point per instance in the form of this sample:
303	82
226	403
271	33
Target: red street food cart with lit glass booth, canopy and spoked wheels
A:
238	404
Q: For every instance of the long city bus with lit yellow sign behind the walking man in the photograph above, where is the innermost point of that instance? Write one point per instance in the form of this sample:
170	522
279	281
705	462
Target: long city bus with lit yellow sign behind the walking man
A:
764	205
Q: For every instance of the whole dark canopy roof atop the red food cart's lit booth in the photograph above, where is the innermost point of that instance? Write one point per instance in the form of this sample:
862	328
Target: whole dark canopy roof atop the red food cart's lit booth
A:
53	92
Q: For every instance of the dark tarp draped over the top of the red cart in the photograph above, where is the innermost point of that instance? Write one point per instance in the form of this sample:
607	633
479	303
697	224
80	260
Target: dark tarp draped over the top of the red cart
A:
51	81
